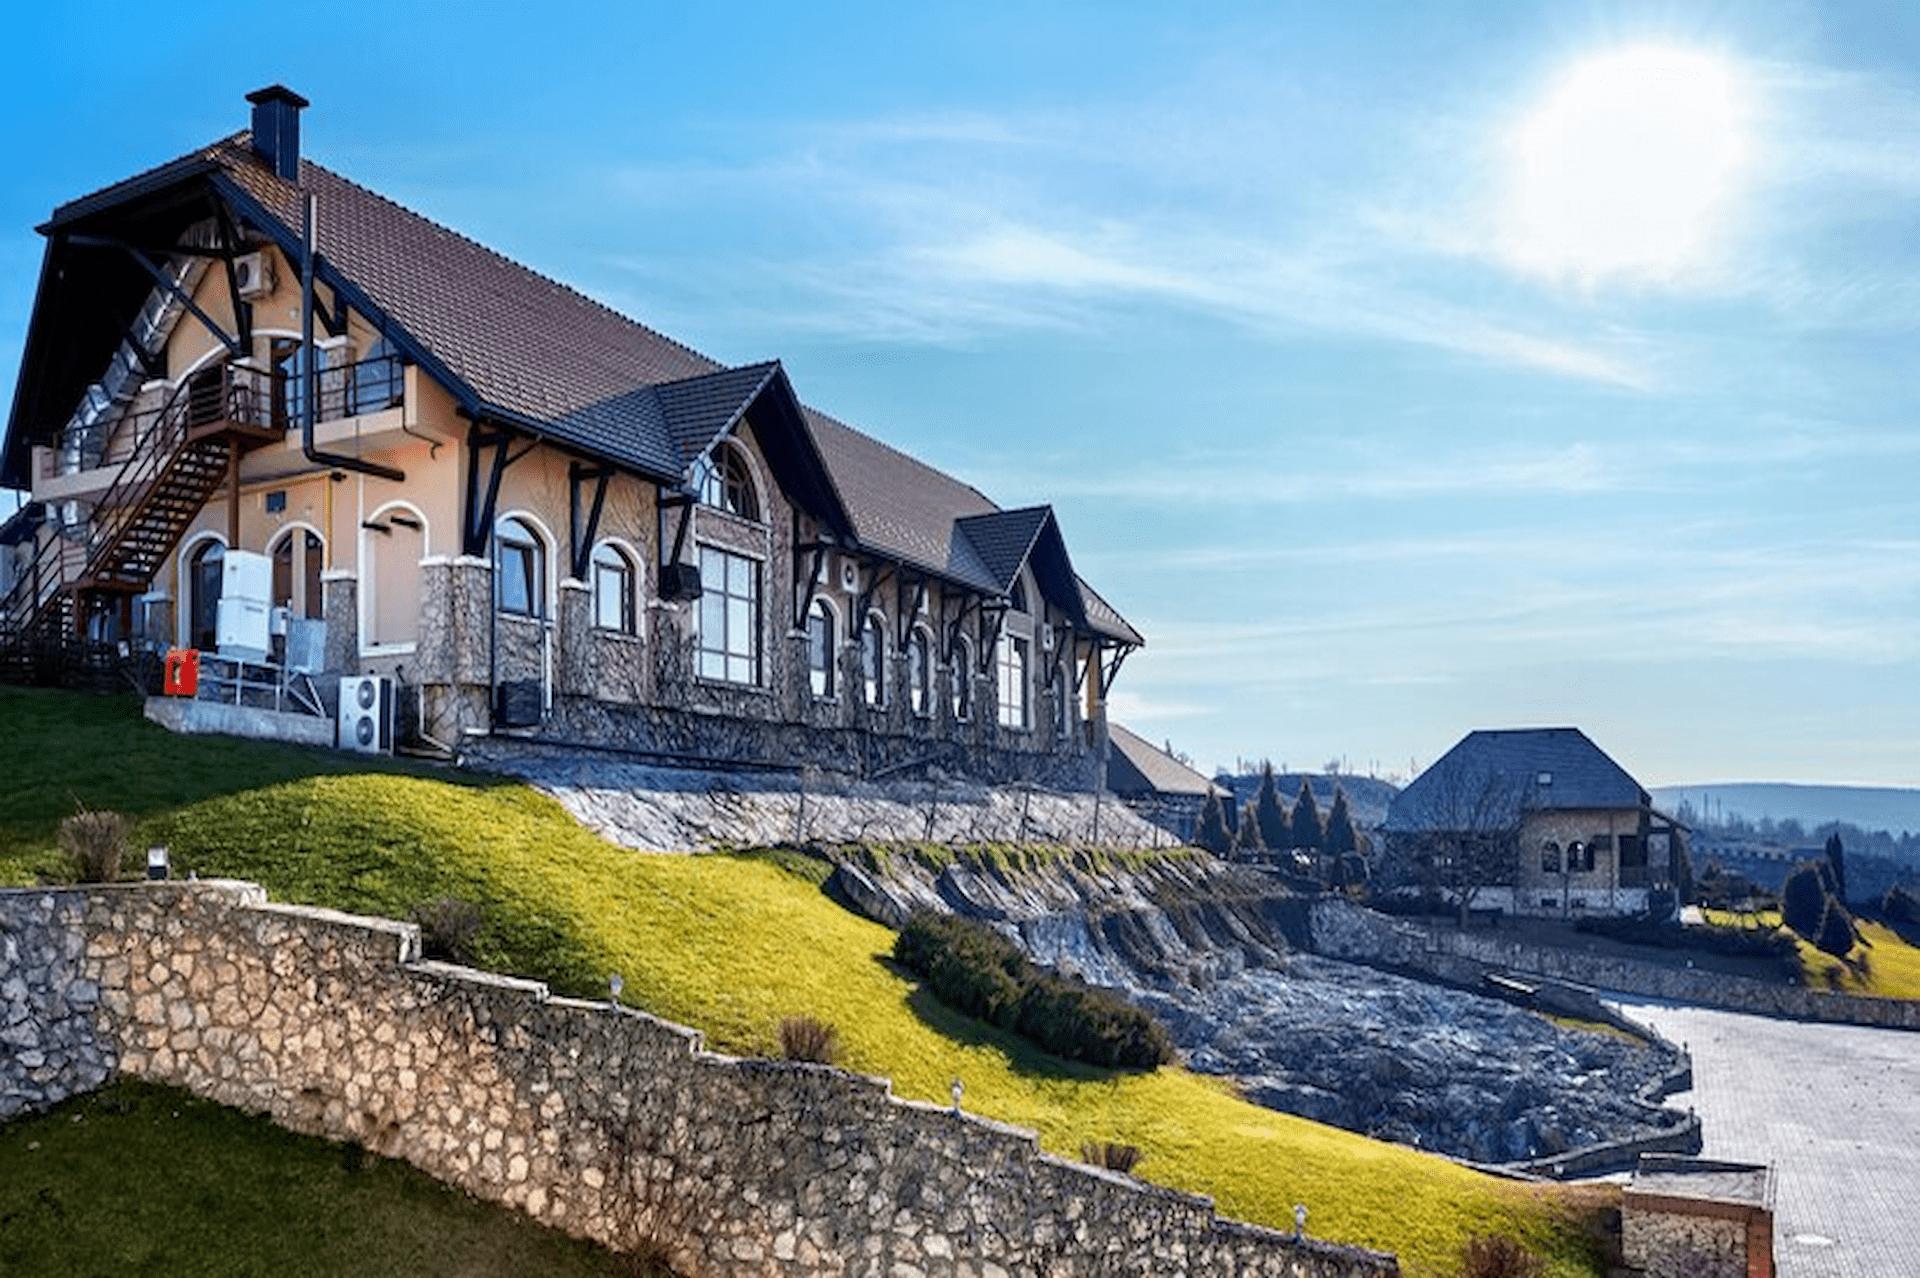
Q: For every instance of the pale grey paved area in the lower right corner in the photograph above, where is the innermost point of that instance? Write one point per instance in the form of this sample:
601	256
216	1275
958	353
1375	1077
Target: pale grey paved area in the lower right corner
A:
1835	1108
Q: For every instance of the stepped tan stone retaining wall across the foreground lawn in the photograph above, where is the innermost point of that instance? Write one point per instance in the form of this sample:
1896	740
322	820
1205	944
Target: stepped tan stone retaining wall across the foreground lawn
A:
602	1122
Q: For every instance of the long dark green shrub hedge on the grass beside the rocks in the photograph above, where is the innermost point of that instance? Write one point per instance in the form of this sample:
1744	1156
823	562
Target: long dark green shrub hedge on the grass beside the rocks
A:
982	974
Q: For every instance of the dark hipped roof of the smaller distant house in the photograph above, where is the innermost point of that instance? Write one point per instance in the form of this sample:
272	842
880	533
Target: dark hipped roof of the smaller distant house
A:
1497	774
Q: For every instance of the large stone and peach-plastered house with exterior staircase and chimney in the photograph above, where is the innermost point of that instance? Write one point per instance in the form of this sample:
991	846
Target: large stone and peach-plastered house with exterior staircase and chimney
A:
533	513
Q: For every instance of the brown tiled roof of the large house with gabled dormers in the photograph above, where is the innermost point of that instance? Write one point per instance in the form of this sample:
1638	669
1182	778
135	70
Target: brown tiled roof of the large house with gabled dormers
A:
537	352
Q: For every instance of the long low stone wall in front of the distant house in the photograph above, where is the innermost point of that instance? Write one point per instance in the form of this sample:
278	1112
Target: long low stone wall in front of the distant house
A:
1343	930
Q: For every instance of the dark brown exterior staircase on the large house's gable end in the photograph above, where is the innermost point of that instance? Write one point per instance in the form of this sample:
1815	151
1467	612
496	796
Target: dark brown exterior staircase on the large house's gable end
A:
176	467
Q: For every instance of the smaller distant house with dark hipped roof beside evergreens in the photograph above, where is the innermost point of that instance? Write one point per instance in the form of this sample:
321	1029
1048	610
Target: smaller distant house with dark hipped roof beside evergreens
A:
1533	820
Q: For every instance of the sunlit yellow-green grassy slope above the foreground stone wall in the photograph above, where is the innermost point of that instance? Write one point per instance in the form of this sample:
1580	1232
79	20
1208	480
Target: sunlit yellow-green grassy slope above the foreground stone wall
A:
732	945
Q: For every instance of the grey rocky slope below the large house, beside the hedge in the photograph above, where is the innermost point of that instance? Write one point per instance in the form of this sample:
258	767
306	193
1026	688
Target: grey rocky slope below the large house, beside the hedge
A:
1218	955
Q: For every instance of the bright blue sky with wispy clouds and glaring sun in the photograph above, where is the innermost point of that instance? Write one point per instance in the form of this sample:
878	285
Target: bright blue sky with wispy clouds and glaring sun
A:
1397	369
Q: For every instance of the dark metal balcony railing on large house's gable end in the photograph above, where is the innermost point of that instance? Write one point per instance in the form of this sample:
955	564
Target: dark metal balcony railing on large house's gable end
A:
243	396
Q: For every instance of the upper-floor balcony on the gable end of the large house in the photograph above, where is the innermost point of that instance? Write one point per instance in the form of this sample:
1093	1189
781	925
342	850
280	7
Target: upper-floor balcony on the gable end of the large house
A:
247	402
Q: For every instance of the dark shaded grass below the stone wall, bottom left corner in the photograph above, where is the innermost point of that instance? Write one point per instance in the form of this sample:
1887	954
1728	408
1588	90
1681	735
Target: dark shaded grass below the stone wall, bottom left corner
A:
141	1179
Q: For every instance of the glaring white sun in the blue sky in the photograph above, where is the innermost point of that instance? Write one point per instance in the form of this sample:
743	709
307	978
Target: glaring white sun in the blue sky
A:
1627	168
